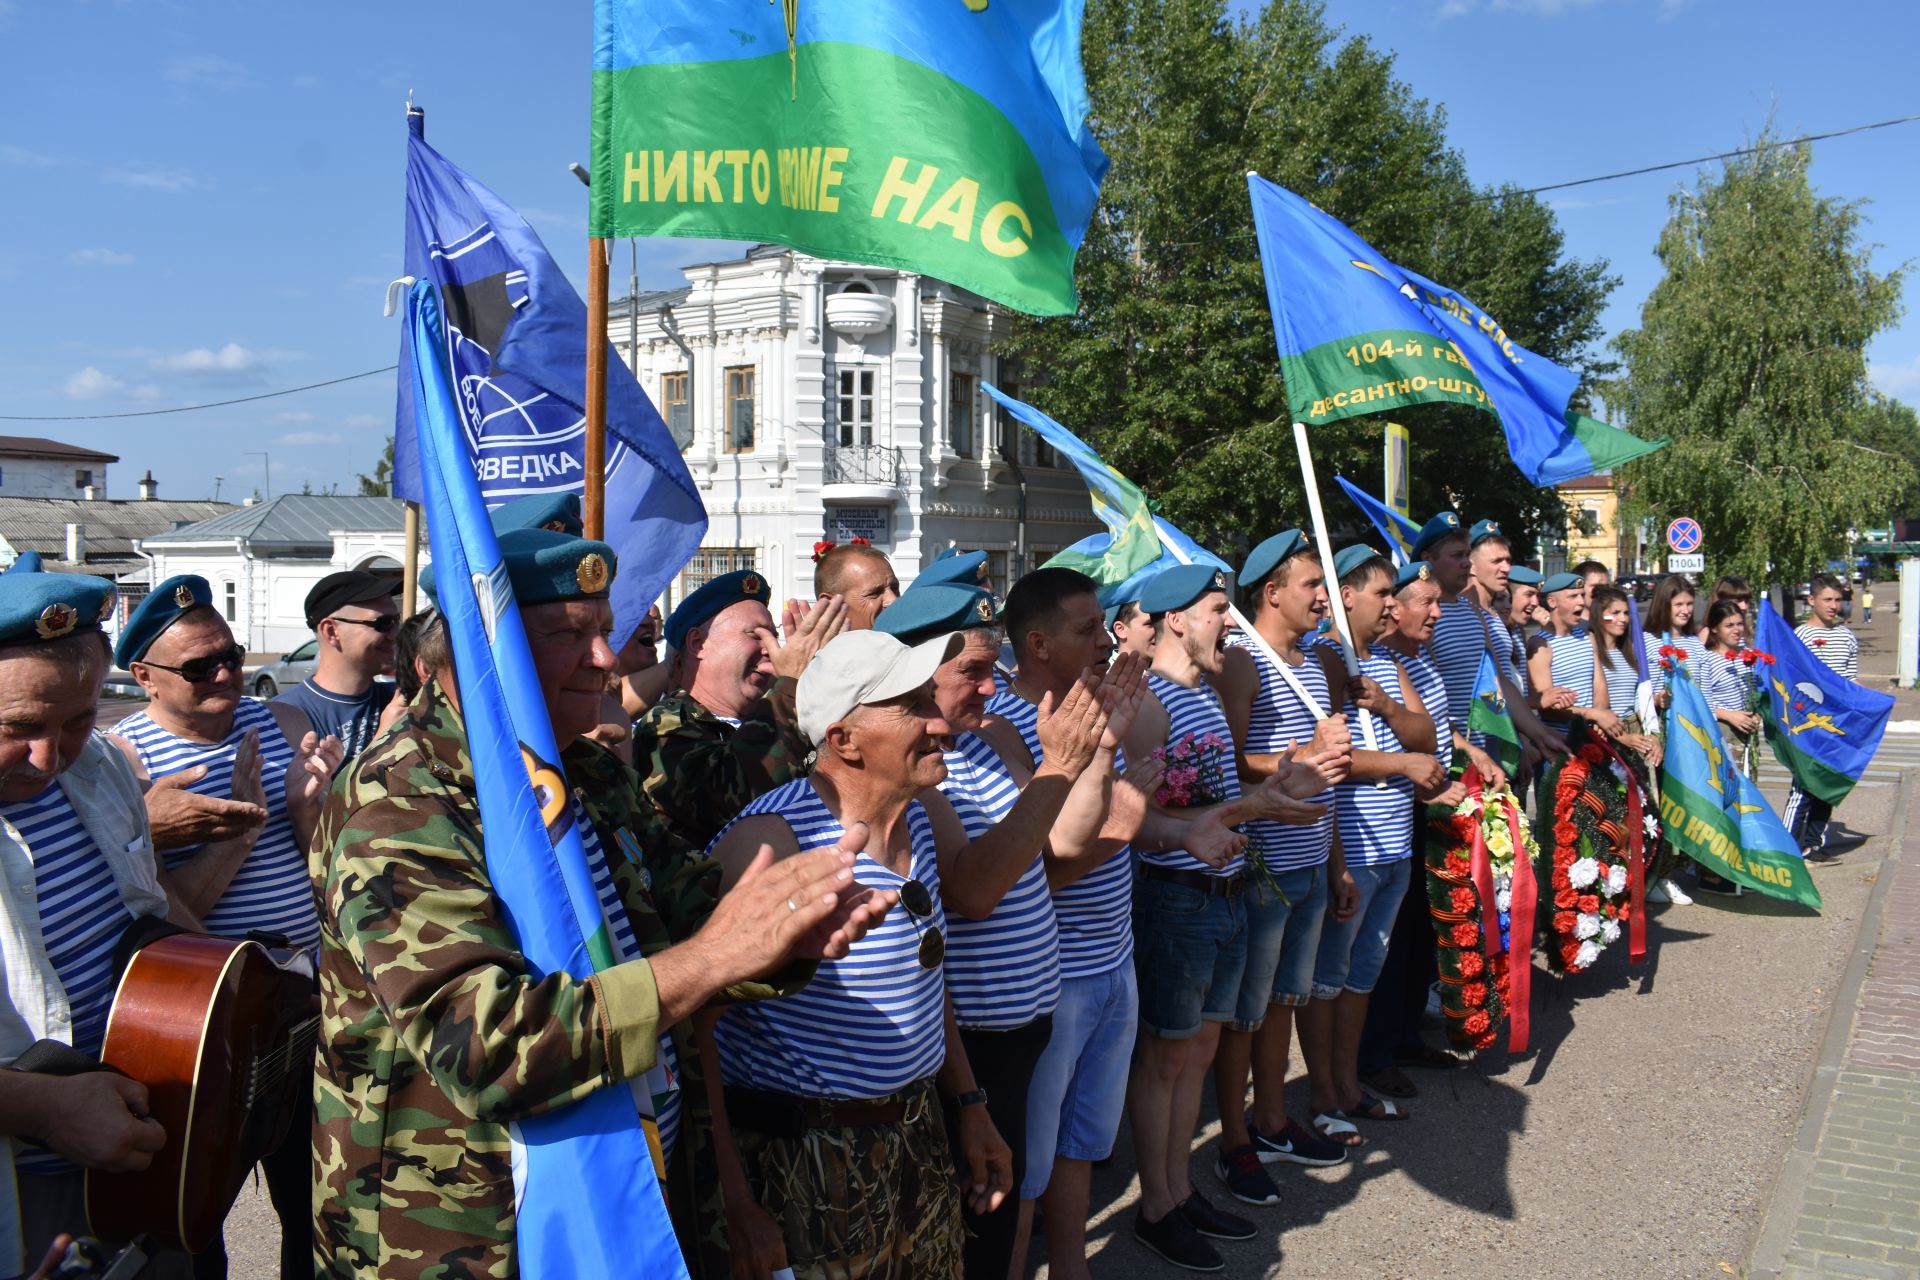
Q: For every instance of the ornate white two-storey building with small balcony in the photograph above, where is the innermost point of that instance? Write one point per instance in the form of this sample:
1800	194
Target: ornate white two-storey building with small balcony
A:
823	400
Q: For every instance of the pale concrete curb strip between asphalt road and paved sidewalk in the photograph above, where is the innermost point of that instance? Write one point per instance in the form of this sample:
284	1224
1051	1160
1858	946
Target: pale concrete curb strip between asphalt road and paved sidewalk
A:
1767	1258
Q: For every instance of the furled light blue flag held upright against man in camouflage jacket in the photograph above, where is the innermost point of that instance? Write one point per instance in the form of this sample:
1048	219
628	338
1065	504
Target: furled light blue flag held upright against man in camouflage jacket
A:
573	1221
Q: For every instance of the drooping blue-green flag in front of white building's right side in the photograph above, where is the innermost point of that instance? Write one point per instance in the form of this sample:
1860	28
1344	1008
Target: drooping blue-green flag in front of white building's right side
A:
1138	544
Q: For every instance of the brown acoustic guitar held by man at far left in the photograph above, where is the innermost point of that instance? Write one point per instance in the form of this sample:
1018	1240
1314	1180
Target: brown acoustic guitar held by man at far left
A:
222	1033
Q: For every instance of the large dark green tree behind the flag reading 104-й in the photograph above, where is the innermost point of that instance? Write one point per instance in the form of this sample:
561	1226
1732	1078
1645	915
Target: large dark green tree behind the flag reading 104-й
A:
1170	366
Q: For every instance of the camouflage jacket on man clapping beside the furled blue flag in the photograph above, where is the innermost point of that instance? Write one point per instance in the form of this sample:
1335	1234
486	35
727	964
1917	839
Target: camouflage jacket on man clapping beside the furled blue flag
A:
433	1033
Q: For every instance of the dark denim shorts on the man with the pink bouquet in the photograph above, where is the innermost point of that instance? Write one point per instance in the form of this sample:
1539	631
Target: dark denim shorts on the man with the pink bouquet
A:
1189	951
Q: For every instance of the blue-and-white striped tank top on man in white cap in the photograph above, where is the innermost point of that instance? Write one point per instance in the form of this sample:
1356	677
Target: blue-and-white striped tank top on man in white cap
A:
873	1022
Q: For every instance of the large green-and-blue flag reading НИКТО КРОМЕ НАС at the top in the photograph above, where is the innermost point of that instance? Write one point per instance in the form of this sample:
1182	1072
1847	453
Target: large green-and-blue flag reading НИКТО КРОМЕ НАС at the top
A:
940	137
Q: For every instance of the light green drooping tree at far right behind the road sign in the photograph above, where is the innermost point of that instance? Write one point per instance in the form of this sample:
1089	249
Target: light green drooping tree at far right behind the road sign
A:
1752	358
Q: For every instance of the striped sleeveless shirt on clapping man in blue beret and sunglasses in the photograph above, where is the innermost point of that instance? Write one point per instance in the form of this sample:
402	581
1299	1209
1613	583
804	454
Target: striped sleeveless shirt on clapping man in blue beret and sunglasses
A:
272	891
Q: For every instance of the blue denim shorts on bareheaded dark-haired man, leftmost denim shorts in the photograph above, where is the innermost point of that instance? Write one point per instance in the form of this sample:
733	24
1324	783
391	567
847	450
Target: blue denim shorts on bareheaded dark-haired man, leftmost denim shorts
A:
1080	1085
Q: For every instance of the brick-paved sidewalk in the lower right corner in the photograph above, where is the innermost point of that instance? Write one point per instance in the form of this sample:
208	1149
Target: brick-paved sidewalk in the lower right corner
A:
1848	1202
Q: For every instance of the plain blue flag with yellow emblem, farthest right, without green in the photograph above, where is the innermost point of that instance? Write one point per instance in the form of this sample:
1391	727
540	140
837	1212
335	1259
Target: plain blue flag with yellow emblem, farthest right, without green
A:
1823	726
